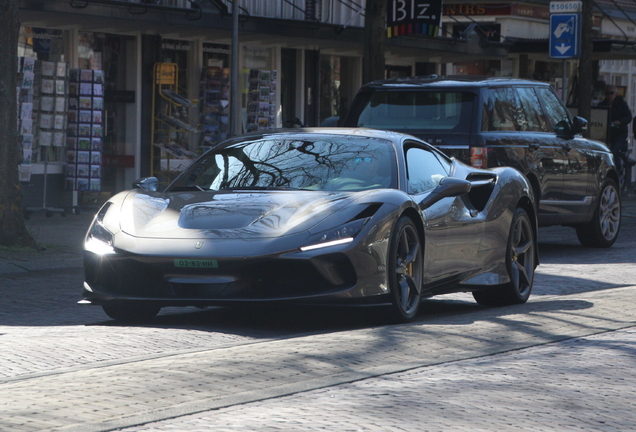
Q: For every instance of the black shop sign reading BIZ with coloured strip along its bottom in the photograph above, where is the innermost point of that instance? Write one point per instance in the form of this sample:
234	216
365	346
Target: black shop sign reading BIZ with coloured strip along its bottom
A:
413	16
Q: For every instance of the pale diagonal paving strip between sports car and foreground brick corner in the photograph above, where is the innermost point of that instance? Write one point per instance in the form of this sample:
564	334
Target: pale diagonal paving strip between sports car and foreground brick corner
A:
122	395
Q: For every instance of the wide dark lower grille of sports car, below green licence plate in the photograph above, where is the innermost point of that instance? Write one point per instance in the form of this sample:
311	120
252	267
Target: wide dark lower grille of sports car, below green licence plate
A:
236	279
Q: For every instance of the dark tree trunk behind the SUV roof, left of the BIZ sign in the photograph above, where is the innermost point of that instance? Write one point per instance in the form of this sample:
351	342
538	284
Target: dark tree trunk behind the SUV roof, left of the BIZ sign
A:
374	39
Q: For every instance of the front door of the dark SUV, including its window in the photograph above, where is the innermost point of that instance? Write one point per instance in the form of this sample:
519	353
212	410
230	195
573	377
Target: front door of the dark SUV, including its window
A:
573	199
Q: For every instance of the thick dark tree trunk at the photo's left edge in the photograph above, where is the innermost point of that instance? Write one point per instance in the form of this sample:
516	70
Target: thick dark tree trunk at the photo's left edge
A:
13	230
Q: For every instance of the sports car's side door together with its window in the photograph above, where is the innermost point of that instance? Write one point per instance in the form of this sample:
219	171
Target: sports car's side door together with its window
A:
453	234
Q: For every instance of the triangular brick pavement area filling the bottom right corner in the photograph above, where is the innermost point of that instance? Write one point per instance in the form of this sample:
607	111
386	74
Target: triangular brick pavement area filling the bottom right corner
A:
588	386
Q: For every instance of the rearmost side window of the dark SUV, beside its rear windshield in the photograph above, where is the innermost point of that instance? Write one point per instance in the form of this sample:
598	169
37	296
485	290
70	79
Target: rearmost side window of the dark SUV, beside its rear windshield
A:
502	111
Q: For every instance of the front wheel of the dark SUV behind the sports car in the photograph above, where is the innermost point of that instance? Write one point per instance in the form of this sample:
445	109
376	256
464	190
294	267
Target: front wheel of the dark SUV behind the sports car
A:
602	230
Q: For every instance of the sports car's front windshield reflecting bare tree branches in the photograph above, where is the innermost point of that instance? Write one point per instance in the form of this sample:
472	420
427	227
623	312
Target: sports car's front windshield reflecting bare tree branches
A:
308	161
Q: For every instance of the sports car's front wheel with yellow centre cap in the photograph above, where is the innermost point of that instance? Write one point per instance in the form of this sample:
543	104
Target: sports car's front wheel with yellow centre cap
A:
405	263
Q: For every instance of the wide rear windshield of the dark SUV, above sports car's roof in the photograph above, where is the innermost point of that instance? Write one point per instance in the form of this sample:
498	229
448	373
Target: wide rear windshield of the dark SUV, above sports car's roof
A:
414	109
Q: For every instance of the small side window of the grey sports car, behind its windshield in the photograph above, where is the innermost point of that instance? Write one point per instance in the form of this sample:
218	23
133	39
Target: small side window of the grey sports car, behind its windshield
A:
424	169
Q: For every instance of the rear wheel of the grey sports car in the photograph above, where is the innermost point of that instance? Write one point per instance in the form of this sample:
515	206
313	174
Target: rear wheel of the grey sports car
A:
520	262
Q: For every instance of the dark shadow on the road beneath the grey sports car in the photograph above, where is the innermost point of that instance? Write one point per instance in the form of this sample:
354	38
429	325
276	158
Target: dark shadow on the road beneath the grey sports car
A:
263	323
